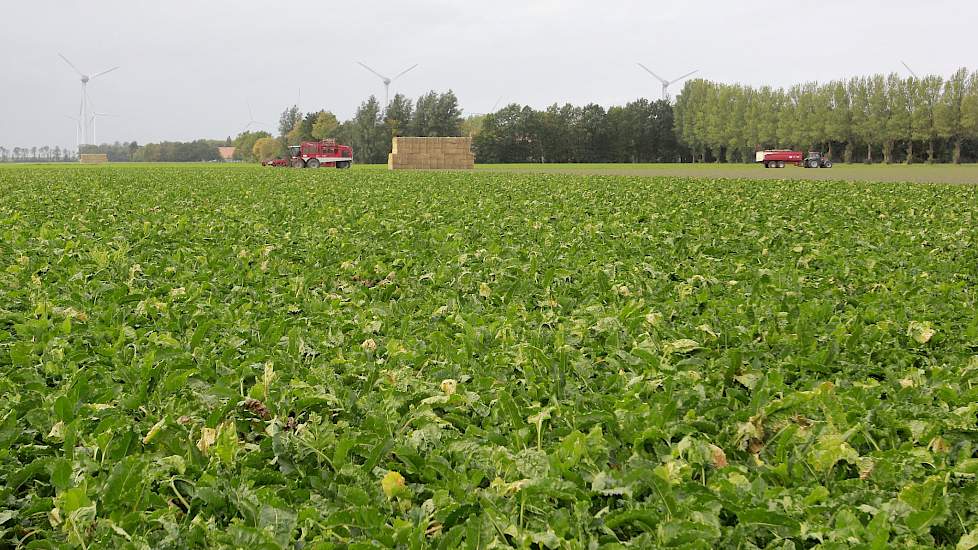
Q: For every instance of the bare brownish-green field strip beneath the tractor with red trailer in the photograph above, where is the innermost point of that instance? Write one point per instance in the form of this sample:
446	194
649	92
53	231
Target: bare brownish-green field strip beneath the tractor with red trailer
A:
921	173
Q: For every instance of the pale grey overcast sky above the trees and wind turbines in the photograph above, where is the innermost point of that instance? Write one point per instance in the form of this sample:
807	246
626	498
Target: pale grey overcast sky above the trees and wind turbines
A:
190	68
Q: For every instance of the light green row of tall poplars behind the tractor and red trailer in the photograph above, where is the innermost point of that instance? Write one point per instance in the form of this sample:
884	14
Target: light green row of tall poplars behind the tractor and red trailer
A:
878	117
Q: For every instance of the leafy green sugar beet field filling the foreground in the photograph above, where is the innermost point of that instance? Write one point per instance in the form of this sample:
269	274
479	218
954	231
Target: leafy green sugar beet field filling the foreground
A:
255	358
